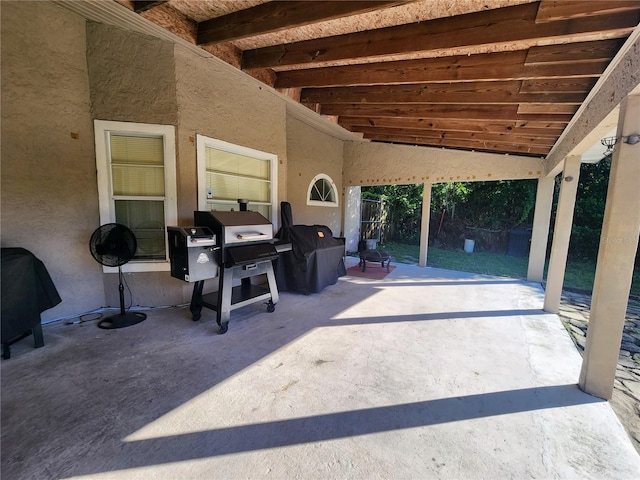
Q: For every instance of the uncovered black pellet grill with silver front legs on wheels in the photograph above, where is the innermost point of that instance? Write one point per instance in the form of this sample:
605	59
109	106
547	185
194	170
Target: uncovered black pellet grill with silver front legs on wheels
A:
244	249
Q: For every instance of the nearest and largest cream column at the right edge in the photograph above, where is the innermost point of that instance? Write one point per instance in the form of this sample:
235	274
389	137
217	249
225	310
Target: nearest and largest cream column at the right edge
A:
616	256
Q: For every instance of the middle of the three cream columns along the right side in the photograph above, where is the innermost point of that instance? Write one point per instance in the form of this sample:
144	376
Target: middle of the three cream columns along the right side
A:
561	234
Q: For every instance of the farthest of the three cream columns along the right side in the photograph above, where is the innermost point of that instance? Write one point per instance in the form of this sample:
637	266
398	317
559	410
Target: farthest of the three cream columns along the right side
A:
540	234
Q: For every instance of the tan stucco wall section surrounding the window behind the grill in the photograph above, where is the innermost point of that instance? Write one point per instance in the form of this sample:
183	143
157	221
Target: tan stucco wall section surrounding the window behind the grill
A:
222	103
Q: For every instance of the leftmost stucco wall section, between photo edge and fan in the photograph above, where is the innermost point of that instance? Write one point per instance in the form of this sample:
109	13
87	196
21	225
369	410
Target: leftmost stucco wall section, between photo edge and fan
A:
49	191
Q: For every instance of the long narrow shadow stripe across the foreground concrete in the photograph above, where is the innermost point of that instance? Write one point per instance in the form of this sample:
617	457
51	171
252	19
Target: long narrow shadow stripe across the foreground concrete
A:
337	425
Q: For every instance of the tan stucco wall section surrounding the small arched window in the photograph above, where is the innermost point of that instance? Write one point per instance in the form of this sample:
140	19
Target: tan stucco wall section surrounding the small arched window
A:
309	153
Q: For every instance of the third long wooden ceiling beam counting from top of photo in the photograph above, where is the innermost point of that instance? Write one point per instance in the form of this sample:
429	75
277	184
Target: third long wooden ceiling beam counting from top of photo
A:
461	68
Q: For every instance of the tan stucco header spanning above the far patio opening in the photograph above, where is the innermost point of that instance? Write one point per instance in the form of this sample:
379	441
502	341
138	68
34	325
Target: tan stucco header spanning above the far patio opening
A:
381	164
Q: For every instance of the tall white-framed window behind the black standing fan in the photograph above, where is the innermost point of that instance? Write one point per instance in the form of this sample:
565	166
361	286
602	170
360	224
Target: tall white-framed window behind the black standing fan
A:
136	167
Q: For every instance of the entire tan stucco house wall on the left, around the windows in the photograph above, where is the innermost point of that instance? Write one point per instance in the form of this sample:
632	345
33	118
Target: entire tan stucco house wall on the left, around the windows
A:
60	72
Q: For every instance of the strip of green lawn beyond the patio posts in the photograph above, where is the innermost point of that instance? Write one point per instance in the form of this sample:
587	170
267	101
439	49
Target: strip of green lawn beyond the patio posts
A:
579	275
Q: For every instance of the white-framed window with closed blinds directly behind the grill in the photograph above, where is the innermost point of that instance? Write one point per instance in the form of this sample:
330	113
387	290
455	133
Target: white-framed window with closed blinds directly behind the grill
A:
228	172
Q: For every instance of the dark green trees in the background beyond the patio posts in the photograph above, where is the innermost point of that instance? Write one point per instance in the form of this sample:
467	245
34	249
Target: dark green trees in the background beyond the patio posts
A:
496	206
